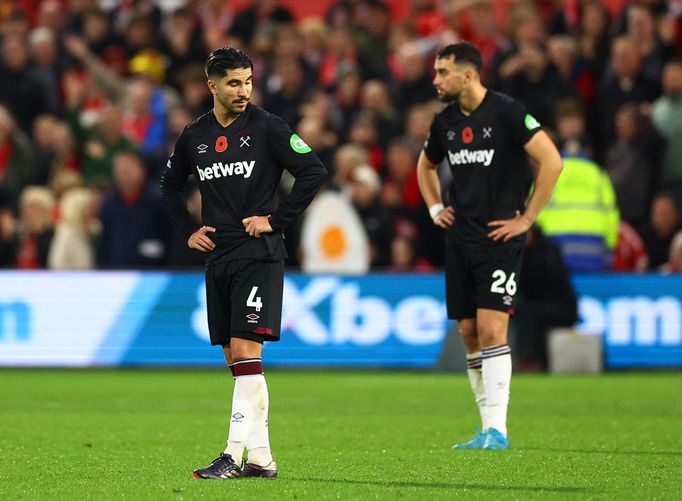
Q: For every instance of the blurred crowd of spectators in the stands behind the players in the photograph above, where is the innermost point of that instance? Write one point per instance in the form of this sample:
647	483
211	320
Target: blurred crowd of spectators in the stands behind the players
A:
93	94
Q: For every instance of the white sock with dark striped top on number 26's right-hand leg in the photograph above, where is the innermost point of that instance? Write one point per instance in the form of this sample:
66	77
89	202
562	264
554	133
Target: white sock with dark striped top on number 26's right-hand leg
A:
497	379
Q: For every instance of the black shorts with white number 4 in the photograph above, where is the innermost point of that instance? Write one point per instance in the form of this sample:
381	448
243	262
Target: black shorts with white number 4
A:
244	300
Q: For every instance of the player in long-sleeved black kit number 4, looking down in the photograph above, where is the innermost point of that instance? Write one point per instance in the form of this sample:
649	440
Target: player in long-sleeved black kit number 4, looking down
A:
237	153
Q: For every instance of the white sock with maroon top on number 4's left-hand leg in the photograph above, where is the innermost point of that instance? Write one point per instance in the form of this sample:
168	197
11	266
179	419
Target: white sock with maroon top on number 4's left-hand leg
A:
248	383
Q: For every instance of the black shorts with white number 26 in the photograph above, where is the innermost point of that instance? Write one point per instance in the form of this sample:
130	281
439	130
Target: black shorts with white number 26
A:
479	277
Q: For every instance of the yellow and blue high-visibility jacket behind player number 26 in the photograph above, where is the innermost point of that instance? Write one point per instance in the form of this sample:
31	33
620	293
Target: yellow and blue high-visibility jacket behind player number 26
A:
582	216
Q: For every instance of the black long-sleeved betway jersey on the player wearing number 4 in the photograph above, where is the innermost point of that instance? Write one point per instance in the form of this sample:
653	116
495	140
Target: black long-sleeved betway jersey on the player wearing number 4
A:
238	169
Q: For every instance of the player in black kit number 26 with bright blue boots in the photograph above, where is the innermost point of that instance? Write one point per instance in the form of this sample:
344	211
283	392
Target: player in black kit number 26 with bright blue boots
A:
486	139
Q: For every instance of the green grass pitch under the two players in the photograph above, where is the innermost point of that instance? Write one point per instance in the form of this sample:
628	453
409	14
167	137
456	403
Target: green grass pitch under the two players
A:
137	434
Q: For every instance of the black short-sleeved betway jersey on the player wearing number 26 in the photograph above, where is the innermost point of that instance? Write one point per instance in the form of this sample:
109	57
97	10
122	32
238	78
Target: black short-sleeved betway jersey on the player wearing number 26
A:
491	174
